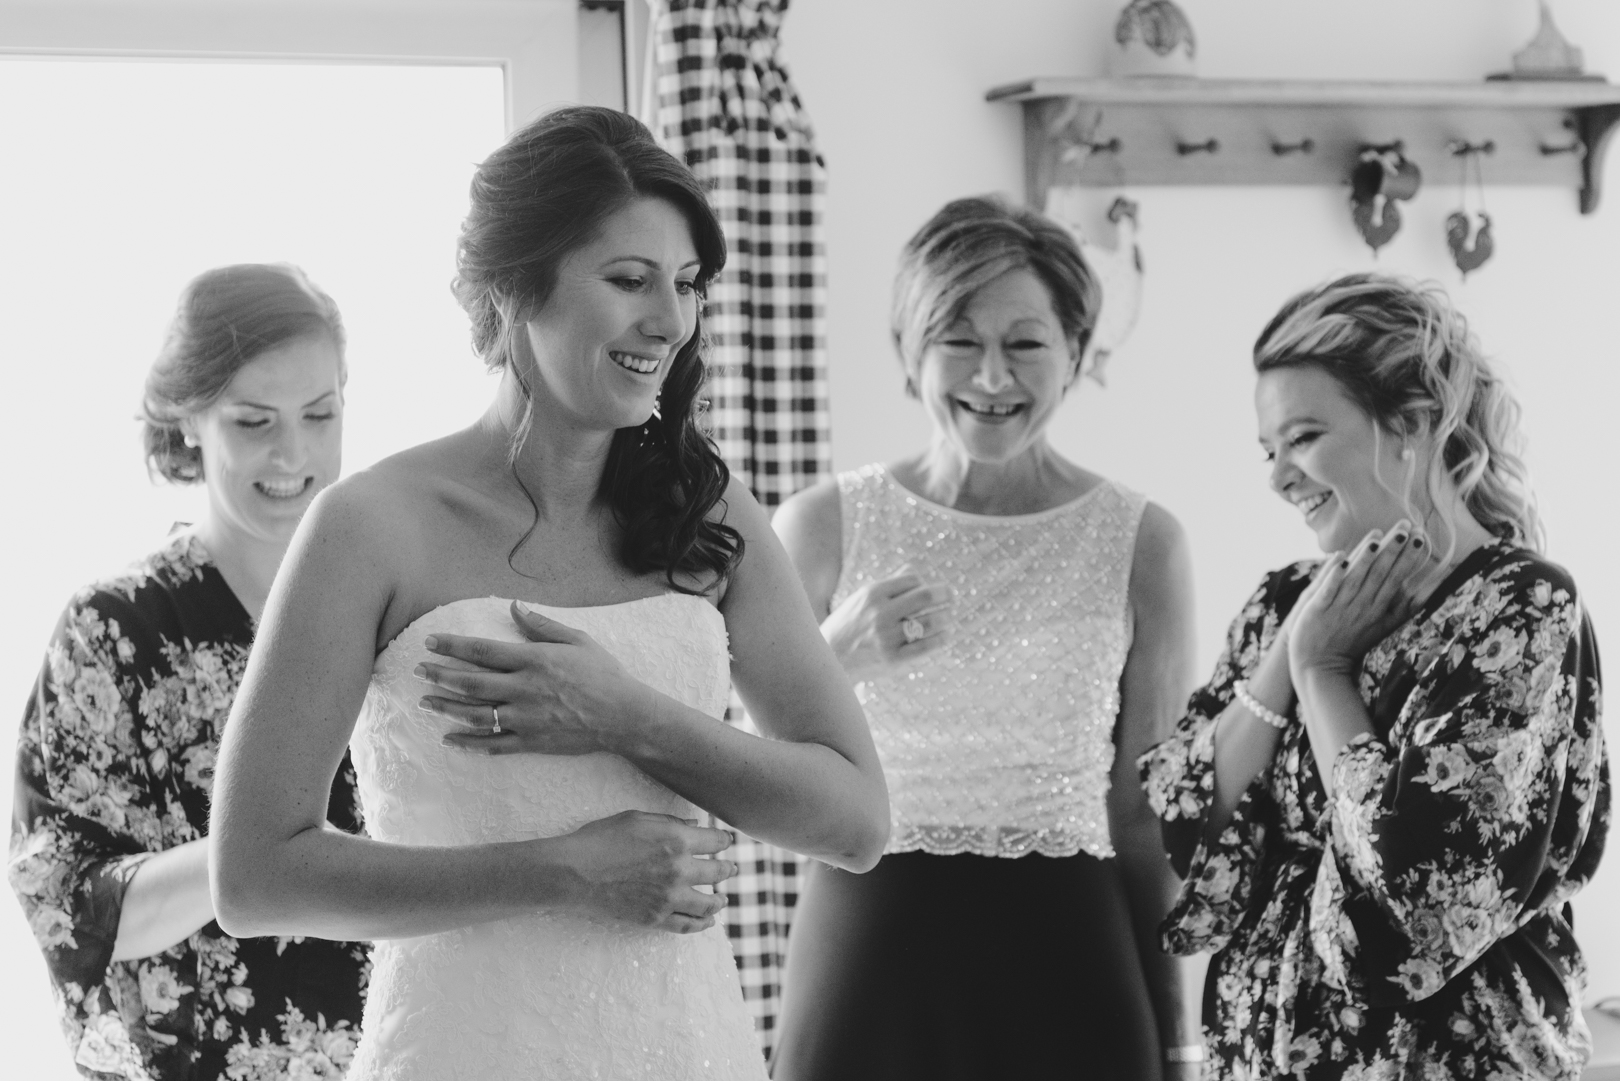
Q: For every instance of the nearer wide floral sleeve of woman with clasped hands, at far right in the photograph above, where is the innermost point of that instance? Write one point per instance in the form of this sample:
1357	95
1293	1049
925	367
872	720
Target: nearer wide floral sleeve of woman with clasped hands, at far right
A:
1473	808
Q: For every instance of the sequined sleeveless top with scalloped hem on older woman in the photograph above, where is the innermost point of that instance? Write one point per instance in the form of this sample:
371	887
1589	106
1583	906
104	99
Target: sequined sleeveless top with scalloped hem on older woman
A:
1002	741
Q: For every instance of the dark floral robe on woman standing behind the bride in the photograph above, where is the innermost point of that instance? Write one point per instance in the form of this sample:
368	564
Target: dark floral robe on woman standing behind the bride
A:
116	759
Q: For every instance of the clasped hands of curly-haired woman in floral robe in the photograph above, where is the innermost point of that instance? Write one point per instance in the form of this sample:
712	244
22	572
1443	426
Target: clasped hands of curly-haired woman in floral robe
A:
1358	600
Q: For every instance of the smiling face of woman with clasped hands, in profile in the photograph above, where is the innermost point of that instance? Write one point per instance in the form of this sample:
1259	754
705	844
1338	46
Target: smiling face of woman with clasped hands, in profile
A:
1331	459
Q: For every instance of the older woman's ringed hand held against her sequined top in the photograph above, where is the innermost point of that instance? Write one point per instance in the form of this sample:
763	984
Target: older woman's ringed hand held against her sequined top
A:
890	625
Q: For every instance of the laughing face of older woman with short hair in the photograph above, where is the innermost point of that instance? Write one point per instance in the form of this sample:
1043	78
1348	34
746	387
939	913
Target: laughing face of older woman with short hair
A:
995	377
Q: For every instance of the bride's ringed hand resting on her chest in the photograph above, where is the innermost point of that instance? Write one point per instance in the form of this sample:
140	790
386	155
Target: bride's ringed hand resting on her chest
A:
560	693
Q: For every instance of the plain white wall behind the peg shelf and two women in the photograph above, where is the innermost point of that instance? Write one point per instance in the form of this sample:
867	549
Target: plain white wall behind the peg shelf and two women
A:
897	93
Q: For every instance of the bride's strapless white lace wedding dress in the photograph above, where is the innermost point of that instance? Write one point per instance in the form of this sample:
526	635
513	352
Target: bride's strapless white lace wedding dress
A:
542	996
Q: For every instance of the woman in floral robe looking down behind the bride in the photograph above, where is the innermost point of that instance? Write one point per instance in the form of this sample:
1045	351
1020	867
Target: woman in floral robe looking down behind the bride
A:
117	745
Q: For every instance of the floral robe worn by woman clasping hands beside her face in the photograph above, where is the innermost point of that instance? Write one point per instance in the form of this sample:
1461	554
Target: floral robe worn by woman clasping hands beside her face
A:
1417	925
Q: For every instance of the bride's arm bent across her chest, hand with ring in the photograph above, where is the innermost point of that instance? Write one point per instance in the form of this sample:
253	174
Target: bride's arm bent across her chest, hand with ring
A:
814	785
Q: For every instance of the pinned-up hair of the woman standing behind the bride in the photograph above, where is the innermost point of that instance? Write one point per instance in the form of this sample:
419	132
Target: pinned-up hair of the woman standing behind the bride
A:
226	318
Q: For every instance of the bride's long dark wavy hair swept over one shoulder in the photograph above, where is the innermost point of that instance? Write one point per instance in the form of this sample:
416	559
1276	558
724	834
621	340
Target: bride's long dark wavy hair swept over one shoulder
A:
537	200
